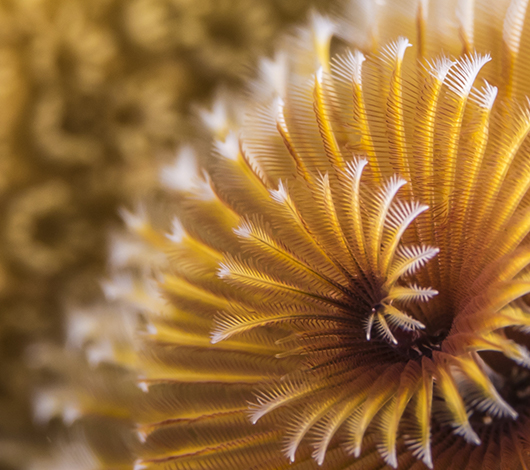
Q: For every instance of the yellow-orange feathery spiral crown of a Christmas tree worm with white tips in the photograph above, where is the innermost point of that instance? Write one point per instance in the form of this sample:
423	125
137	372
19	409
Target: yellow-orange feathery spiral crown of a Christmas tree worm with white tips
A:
355	262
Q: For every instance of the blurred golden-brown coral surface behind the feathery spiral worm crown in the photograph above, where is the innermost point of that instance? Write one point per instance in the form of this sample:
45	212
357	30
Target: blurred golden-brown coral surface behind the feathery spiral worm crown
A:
94	95
